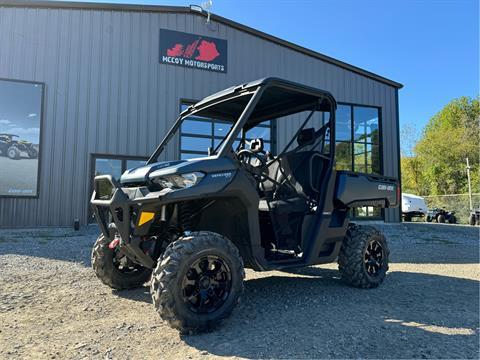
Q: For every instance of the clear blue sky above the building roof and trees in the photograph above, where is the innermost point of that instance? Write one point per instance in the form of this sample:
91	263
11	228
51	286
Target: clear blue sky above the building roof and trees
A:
430	46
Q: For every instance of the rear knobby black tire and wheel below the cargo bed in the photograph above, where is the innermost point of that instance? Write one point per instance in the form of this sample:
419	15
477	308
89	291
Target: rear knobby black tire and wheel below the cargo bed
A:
352	261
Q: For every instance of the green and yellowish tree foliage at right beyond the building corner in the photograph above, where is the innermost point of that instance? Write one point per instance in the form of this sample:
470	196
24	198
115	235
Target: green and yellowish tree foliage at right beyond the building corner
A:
437	165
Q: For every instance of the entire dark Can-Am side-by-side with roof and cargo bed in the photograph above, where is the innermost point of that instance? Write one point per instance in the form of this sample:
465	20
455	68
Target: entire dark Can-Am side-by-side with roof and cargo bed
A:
193	225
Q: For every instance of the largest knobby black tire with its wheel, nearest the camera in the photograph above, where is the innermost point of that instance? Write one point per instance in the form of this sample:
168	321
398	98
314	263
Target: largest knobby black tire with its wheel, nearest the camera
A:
178	282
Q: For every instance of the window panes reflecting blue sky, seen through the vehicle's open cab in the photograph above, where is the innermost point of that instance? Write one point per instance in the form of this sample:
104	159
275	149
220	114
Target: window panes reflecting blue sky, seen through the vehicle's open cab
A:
197	134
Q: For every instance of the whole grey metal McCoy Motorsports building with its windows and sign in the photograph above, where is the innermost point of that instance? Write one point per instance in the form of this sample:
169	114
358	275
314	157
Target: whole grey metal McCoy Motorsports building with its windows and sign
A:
104	91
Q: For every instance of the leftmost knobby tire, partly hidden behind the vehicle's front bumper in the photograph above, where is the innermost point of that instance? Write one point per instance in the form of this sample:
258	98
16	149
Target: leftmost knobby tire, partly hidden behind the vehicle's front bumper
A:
105	269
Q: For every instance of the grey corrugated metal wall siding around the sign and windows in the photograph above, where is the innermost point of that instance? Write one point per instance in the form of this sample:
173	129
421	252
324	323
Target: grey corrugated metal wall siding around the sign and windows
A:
105	92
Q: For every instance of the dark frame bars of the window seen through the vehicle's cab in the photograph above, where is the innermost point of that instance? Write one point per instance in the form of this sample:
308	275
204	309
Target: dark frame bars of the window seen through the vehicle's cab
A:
213	137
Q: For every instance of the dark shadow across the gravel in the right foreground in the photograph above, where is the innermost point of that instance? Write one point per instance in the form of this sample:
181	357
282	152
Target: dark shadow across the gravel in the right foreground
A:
315	315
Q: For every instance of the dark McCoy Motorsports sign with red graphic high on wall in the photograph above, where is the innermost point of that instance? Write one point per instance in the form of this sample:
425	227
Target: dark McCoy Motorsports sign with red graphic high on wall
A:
193	51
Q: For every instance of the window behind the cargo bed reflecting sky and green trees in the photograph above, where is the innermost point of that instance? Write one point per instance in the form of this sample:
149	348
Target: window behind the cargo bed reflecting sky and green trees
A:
358	146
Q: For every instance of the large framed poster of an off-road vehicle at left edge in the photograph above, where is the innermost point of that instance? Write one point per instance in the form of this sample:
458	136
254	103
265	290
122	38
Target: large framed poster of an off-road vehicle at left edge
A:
20	125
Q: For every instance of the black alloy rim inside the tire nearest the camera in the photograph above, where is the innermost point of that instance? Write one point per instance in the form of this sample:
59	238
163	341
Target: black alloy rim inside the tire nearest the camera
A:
207	284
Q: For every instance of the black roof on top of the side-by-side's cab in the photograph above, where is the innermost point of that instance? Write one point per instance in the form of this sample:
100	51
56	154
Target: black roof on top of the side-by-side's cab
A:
280	98
